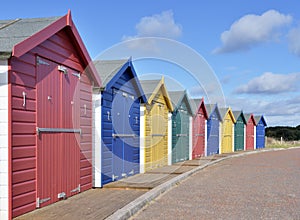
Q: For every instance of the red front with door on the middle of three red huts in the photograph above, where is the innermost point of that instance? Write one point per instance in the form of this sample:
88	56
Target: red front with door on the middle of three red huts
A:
198	135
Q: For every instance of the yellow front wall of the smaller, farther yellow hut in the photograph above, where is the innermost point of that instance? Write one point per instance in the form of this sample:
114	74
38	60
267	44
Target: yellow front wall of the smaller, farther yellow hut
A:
227	126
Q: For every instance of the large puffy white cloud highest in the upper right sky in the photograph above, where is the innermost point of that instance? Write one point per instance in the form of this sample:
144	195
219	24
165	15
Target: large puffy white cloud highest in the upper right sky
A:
251	30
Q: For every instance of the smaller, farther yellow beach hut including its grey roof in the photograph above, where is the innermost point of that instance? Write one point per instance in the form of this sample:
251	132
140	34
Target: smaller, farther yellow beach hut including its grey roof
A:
227	131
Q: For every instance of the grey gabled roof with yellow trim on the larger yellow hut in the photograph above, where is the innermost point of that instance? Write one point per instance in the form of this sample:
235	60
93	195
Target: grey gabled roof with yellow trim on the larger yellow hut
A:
151	89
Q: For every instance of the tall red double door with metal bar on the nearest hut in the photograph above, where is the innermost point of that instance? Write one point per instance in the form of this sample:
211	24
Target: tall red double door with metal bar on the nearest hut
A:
58	127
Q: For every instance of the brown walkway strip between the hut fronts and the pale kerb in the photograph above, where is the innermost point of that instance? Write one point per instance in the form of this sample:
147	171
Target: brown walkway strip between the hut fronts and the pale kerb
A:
103	202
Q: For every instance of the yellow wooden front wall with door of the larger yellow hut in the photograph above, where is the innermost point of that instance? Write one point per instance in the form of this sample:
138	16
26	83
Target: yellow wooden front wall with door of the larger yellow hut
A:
156	133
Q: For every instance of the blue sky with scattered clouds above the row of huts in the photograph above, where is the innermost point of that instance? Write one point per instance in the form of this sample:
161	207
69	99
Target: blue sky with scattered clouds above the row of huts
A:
252	47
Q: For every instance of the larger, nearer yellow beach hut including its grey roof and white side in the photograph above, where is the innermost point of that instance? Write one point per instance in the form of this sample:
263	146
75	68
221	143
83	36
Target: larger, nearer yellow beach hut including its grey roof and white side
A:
155	126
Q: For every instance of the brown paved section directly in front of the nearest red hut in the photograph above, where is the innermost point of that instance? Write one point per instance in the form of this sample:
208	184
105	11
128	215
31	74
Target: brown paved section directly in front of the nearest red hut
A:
91	204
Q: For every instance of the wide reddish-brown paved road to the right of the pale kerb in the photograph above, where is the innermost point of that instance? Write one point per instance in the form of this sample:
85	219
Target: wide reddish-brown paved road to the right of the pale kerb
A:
257	186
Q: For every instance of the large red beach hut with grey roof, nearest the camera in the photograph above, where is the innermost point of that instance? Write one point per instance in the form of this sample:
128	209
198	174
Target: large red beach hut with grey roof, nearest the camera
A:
45	114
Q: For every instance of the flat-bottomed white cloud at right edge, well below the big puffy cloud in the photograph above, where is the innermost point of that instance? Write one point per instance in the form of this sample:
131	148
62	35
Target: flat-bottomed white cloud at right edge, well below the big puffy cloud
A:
270	83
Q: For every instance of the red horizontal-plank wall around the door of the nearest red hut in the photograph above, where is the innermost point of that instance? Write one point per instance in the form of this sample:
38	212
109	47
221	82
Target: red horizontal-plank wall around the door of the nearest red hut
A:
60	49
